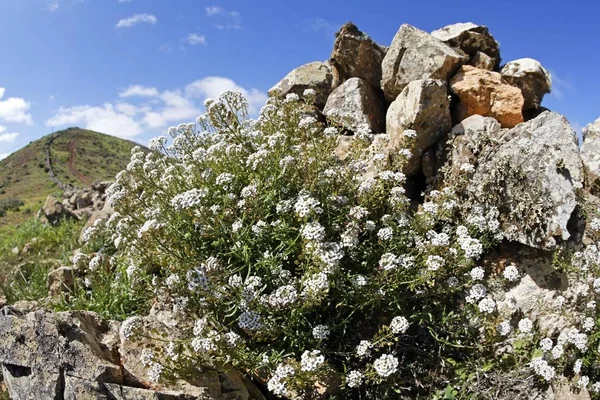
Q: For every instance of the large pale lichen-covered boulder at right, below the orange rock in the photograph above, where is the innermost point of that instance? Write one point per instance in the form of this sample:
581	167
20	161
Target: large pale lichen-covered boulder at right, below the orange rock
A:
532	179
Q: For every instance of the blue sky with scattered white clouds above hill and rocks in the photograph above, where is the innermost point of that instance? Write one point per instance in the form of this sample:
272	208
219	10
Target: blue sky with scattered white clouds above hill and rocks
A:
133	68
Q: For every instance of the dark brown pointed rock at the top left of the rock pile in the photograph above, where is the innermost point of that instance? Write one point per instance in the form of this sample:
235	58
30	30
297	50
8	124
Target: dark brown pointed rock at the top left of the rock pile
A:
356	55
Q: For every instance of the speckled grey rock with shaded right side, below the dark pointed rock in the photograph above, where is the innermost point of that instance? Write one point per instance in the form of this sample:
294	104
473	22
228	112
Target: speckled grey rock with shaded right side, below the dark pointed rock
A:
354	104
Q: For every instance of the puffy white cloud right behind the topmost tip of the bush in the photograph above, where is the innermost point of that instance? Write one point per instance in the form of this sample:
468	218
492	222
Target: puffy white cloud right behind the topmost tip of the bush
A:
211	87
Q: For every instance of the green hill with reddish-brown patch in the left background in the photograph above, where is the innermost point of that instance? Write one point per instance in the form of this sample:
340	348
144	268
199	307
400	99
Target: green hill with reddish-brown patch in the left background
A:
72	157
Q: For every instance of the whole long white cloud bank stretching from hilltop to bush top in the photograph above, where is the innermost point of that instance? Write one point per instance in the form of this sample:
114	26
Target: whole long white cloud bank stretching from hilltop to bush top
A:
149	110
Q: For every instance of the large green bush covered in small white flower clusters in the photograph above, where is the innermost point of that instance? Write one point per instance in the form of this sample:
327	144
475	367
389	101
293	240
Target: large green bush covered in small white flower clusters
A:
307	275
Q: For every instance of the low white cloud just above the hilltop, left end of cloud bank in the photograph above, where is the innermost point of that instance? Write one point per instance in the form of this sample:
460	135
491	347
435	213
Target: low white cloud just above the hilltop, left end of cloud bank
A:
105	119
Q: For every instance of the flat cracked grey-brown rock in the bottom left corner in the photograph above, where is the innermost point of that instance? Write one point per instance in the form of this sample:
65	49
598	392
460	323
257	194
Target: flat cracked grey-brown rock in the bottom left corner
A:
38	350
